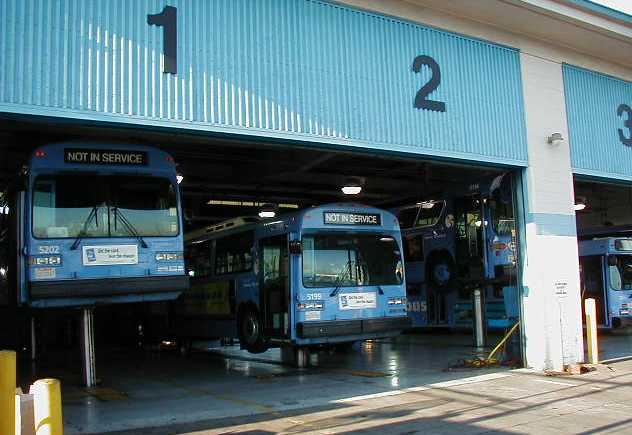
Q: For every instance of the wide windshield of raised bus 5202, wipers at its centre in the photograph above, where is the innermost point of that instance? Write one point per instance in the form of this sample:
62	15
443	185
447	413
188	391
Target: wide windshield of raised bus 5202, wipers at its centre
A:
89	205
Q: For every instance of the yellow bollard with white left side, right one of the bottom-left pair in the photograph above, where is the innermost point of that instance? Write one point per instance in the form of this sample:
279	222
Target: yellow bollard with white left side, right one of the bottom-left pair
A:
47	407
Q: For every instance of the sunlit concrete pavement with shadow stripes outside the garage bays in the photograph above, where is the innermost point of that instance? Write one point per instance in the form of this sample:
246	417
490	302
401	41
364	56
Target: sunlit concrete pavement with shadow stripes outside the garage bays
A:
510	402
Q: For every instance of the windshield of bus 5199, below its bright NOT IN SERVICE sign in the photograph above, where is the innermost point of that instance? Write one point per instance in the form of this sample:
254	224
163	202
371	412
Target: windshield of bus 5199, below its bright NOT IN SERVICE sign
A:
344	260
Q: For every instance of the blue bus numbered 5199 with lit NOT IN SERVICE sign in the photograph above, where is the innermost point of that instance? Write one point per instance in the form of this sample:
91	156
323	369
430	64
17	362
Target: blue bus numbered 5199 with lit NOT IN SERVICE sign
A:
324	275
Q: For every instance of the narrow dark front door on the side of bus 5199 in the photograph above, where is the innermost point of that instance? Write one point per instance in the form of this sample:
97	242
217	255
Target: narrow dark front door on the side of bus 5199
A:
275	286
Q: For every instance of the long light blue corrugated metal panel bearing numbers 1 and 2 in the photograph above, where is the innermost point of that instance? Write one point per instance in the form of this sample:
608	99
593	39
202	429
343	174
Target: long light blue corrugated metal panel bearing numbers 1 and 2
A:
301	69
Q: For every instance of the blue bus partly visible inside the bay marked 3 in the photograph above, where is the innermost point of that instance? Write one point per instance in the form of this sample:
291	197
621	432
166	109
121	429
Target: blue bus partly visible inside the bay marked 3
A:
606	275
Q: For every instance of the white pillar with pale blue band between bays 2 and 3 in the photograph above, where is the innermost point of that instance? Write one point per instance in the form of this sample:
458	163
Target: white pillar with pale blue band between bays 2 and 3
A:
551	303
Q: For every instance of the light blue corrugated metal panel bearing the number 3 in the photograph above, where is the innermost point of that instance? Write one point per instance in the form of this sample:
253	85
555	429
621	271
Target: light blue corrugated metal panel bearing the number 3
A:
592	100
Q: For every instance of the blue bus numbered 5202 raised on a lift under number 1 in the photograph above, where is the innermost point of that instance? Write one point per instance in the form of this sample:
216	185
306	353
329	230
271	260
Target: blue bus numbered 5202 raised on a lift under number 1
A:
90	224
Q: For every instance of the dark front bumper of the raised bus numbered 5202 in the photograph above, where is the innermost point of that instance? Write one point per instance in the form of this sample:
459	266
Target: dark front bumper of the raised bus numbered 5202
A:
90	288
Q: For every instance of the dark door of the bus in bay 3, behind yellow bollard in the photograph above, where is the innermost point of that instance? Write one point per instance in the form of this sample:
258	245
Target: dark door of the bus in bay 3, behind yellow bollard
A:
593	286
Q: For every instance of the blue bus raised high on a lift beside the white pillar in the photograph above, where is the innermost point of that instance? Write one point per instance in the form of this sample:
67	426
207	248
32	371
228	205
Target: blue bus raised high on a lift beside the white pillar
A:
461	237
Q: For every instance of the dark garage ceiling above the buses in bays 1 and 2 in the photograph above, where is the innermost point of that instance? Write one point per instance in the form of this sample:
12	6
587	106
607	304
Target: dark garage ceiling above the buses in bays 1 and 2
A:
229	169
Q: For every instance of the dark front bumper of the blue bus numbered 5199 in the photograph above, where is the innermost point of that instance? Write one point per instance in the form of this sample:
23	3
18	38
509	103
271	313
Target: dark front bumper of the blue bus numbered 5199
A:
337	328
